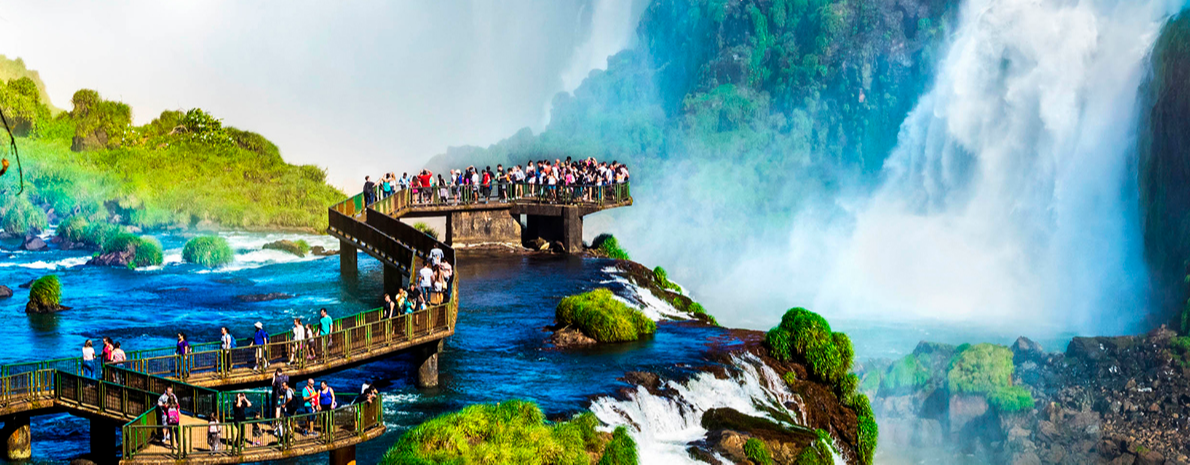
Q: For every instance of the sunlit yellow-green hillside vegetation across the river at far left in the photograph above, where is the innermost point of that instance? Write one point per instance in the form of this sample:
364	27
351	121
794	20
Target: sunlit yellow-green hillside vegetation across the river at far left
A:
179	171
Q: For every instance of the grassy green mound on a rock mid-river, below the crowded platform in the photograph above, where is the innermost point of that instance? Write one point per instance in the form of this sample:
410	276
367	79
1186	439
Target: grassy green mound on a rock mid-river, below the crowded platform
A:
604	318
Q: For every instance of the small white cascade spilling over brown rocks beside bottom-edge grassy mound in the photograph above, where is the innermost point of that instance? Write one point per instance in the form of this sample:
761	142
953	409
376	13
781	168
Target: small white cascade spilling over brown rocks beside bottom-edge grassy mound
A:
665	425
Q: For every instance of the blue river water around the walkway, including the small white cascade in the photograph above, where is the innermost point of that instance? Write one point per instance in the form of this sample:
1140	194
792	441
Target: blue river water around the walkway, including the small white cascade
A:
497	354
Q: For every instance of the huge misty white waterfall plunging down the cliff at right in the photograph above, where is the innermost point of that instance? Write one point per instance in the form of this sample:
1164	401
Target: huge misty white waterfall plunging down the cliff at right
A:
1012	196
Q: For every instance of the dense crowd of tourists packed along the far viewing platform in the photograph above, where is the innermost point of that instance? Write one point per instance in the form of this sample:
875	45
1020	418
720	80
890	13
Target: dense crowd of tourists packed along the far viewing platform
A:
561	181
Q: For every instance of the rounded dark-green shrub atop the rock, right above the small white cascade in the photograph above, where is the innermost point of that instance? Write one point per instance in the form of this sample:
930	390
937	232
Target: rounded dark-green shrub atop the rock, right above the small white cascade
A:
807	335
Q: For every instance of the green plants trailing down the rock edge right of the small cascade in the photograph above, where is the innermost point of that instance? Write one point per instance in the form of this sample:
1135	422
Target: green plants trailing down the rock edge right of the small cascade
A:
807	337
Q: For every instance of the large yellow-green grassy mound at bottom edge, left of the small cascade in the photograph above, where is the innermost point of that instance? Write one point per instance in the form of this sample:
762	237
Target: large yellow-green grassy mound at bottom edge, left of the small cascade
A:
512	432
